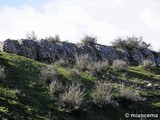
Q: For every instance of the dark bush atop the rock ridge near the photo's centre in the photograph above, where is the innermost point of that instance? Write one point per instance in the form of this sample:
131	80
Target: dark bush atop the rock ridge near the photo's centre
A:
89	40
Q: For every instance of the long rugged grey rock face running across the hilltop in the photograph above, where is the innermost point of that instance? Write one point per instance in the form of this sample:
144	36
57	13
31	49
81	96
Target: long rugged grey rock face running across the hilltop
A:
44	50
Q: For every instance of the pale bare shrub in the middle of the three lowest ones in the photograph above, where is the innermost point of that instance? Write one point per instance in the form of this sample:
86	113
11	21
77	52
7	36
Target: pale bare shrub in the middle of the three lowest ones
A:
102	93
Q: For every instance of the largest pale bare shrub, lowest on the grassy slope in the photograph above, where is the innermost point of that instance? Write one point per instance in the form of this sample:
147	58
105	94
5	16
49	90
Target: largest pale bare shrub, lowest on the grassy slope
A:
72	98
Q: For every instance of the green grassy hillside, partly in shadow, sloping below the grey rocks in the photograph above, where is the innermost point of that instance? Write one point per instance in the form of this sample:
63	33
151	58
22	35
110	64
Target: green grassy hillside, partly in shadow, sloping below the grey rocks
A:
25	95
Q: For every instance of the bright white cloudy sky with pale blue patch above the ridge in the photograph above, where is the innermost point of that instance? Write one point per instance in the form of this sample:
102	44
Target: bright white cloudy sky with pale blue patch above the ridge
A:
73	19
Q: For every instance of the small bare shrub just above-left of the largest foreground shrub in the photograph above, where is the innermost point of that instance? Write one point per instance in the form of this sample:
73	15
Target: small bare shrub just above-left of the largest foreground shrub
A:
55	87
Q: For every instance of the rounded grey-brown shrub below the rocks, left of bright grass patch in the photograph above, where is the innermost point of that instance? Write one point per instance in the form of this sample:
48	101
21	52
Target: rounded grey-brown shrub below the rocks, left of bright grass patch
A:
49	73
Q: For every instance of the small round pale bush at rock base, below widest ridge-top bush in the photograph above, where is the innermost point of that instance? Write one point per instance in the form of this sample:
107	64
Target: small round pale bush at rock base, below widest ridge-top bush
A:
119	65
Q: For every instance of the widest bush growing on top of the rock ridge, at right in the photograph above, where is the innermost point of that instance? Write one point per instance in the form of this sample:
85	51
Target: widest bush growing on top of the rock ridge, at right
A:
131	42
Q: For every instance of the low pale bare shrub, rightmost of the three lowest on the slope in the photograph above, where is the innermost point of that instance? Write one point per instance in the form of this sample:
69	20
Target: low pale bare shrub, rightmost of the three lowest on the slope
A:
130	93
